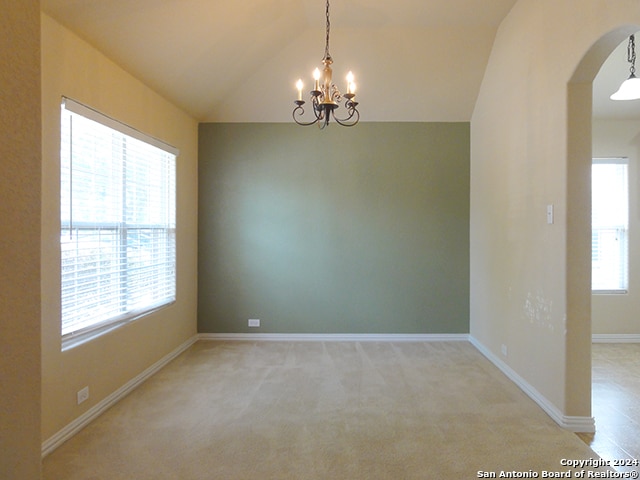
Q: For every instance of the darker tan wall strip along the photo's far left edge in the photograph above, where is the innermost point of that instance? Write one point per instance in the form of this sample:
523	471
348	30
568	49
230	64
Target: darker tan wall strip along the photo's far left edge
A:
19	239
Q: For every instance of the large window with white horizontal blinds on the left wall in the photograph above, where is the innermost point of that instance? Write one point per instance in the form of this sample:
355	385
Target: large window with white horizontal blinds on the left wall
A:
117	232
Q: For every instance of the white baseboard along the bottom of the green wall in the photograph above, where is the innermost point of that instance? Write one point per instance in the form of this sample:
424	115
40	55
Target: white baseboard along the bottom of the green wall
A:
337	337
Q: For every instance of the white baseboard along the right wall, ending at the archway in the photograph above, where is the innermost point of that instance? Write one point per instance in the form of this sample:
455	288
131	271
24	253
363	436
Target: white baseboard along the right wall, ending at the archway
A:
573	424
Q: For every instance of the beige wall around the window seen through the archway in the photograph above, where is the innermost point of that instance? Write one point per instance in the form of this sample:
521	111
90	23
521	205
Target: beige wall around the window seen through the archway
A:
617	314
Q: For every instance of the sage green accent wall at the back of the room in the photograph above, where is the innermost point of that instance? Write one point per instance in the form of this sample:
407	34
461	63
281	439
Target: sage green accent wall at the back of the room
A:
344	230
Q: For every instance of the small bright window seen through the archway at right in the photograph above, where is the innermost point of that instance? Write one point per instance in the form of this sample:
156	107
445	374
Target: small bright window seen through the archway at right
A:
610	225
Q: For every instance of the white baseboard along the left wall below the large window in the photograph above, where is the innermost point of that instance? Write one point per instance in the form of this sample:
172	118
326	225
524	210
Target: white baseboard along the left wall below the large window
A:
83	420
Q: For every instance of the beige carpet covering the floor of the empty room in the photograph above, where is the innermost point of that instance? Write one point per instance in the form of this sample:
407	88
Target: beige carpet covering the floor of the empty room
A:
320	410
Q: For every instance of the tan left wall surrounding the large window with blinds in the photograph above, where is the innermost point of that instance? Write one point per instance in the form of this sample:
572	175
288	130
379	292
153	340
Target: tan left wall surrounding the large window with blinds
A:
74	69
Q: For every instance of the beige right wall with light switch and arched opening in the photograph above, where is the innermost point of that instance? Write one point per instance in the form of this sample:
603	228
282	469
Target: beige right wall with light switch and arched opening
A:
530	147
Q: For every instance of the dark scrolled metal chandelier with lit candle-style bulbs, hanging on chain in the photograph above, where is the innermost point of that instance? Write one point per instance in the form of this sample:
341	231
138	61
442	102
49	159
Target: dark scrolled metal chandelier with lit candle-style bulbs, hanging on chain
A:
325	96
